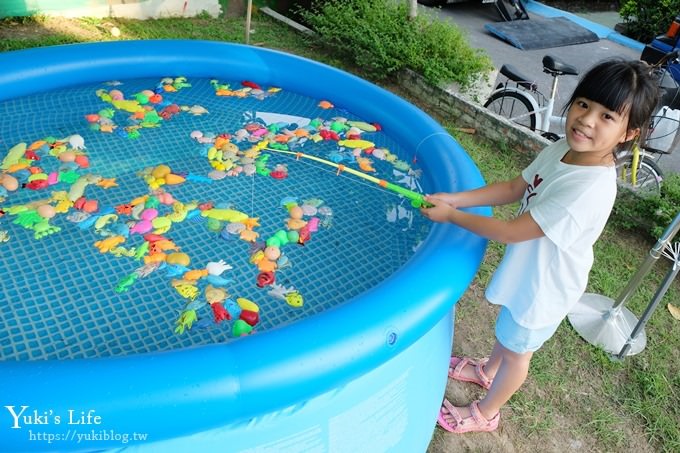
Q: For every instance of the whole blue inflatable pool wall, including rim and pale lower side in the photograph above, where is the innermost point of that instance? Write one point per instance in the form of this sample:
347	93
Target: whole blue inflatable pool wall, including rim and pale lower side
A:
313	386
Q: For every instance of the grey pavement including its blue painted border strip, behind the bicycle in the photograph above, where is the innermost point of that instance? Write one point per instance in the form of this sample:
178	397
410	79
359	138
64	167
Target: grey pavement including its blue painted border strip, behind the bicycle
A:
472	15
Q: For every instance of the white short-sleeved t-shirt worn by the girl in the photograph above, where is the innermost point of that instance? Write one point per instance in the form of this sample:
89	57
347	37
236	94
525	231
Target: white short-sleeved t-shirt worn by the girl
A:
540	280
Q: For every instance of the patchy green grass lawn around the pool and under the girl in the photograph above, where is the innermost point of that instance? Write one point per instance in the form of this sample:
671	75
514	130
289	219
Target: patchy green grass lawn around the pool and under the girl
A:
576	398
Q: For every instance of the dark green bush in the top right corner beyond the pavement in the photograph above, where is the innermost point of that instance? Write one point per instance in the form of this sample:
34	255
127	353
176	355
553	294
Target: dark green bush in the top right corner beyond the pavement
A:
646	19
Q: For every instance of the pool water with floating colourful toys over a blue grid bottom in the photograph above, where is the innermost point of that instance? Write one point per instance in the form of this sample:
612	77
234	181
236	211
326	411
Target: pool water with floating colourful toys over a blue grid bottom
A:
156	229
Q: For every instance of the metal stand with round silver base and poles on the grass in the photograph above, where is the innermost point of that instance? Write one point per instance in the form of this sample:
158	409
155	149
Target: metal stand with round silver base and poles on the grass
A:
606	323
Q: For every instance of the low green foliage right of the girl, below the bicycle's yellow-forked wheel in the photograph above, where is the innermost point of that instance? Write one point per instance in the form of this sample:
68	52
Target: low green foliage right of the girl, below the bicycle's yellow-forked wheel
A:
652	214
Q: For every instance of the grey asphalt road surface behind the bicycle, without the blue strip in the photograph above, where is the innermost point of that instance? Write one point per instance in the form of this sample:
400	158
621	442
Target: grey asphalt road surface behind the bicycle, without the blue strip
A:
471	17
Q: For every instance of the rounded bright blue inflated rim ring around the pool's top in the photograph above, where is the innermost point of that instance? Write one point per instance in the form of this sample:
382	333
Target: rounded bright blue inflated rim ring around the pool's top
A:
225	379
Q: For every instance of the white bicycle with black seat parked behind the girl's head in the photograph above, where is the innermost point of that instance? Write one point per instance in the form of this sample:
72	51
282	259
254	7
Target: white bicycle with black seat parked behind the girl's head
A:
520	101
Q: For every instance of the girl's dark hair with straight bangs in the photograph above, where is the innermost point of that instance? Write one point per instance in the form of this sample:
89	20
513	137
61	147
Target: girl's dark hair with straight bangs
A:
621	85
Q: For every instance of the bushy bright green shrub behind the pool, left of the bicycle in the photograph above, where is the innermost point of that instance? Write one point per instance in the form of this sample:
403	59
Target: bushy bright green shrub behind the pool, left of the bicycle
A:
378	37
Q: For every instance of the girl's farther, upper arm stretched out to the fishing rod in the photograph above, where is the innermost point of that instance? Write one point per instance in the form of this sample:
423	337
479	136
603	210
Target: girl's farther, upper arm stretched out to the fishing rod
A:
496	194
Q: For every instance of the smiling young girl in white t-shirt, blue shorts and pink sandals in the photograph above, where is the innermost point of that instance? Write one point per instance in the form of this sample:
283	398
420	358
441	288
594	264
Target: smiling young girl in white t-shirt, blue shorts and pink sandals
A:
566	196
